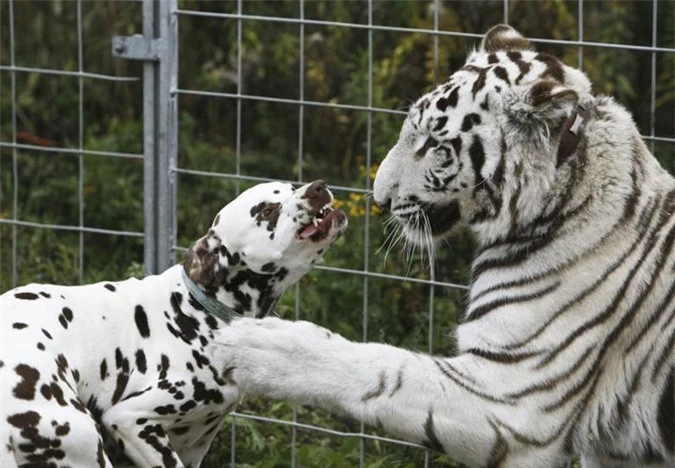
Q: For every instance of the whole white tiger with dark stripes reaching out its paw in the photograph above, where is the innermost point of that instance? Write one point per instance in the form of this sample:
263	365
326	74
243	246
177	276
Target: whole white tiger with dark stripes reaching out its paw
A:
567	344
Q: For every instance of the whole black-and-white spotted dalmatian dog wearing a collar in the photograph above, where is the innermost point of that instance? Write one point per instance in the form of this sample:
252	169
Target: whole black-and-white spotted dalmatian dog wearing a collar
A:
128	369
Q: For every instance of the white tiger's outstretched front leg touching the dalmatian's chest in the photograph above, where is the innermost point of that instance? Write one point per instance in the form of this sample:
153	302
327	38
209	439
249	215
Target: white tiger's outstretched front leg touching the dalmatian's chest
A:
444	404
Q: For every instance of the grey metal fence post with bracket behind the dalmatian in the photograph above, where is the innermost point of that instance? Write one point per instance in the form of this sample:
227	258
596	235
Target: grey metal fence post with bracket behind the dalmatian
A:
158	49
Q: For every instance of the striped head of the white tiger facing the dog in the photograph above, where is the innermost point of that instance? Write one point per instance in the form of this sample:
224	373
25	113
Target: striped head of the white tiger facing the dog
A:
484	146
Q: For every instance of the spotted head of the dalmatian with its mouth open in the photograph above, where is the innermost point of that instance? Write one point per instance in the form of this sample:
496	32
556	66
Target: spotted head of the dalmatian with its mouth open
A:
269	236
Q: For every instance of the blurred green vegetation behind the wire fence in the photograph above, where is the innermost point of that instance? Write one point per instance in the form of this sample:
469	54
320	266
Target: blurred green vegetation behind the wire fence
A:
337	144
